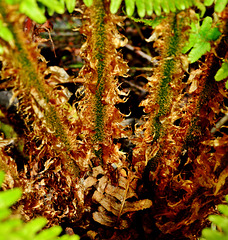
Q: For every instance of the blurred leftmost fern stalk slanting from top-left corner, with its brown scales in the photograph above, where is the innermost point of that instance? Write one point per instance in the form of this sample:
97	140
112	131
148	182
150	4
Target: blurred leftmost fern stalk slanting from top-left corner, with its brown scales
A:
31	85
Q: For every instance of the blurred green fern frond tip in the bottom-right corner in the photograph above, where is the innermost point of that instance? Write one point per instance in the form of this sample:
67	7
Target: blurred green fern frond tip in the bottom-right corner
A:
221	222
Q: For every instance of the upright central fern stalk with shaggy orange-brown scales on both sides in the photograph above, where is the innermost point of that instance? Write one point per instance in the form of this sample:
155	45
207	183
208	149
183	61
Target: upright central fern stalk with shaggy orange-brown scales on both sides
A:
100	116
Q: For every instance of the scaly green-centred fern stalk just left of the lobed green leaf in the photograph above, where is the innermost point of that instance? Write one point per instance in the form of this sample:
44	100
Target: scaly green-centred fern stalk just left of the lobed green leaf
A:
164	86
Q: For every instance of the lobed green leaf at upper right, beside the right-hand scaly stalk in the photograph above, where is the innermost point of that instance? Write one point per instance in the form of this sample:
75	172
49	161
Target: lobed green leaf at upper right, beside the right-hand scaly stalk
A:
199	39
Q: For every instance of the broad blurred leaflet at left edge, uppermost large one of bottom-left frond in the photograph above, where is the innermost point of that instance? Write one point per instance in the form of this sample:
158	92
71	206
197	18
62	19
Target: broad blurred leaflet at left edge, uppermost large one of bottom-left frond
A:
9	197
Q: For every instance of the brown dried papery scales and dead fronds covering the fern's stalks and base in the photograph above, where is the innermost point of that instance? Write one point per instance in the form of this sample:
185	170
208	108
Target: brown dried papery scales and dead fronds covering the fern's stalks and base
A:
88	184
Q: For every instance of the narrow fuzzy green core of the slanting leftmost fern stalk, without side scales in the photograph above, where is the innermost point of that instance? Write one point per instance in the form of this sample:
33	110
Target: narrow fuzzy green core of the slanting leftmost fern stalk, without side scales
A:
29	78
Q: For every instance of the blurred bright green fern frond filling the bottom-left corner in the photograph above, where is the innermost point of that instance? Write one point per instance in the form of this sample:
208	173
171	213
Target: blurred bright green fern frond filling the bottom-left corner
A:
15	229
